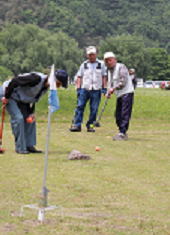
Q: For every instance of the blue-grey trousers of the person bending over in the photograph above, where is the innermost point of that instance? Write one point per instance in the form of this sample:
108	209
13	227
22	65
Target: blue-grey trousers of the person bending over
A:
24	133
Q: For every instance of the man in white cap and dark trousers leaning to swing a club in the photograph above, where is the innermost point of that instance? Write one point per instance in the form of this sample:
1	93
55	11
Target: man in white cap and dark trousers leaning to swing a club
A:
120	83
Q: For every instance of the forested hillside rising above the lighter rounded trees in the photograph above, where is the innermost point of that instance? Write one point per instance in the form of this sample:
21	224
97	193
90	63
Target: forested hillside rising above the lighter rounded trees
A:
91	20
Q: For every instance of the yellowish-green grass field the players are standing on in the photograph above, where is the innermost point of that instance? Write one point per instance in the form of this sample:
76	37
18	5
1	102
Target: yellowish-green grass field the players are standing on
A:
124	188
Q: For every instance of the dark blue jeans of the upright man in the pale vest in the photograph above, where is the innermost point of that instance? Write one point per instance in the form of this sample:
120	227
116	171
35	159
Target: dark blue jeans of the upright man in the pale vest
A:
94	97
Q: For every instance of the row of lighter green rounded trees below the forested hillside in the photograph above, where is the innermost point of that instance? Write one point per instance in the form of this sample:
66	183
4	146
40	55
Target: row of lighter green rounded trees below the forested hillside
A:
25	48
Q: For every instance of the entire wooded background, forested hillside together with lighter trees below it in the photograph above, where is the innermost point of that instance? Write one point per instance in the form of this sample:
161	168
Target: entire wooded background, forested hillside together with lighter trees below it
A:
37	33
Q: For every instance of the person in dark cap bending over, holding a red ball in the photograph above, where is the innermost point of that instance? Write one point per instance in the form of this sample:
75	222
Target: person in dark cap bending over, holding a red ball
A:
20	95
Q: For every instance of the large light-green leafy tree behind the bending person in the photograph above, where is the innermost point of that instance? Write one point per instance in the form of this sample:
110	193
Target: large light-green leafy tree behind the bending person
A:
27	47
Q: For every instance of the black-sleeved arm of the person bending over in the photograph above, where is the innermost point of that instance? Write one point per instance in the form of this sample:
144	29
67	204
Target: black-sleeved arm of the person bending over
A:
25	80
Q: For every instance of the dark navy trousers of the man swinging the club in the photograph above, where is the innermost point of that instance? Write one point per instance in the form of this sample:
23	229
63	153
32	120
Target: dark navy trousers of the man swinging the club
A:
123	111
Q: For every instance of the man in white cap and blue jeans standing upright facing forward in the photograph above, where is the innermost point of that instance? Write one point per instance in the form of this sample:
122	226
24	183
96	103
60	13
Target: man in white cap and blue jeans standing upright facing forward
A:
90	79
